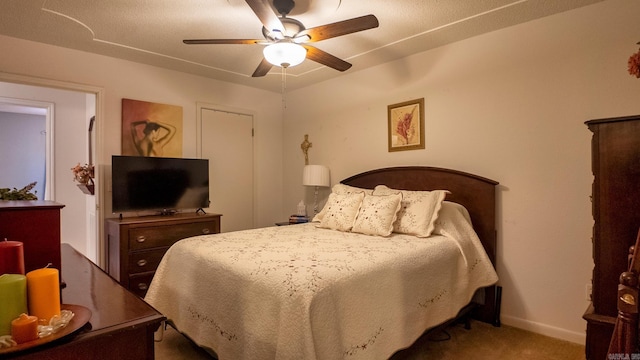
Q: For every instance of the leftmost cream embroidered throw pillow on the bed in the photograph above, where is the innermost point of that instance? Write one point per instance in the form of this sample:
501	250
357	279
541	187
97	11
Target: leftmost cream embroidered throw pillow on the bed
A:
341	211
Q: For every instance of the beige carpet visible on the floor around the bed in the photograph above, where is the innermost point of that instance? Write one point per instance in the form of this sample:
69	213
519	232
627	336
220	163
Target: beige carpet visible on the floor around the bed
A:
482	342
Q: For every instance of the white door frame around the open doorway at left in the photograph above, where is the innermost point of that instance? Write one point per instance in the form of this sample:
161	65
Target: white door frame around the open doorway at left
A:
99	152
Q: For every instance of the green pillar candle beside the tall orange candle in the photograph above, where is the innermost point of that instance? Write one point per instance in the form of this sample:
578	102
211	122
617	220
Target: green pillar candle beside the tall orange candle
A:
13	300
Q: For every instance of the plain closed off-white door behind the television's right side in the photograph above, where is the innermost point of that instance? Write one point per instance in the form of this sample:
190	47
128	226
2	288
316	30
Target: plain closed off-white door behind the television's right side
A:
226	139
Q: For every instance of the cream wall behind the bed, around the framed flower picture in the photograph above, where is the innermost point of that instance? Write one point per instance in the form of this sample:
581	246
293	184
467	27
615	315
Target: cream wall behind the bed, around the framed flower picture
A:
509	105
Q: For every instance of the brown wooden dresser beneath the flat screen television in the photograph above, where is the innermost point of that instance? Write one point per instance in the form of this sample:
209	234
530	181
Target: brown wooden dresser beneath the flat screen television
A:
137	244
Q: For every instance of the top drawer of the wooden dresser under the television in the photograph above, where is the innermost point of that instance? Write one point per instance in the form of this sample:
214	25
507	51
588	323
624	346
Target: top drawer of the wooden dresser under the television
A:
164	236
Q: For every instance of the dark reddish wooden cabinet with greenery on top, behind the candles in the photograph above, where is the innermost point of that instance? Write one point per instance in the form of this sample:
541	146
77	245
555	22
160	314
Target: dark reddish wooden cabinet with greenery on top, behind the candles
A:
35	223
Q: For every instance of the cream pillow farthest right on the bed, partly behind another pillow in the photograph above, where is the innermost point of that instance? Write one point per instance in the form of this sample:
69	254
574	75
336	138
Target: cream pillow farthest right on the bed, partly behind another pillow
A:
418	211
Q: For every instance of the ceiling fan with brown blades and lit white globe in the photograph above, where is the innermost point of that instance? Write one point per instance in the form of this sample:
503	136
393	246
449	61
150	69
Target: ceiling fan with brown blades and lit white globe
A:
287	40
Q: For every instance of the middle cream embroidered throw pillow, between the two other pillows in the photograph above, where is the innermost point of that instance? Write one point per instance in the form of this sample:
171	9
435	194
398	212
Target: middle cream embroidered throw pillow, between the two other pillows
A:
377	214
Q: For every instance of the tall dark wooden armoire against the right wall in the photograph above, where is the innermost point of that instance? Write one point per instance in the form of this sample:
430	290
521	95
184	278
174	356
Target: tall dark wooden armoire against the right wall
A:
615	162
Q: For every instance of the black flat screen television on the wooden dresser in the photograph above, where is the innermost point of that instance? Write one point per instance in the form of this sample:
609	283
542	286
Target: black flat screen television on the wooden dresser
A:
159	184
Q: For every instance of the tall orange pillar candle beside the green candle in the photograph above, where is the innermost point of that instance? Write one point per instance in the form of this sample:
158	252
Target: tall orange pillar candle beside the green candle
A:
43	293
